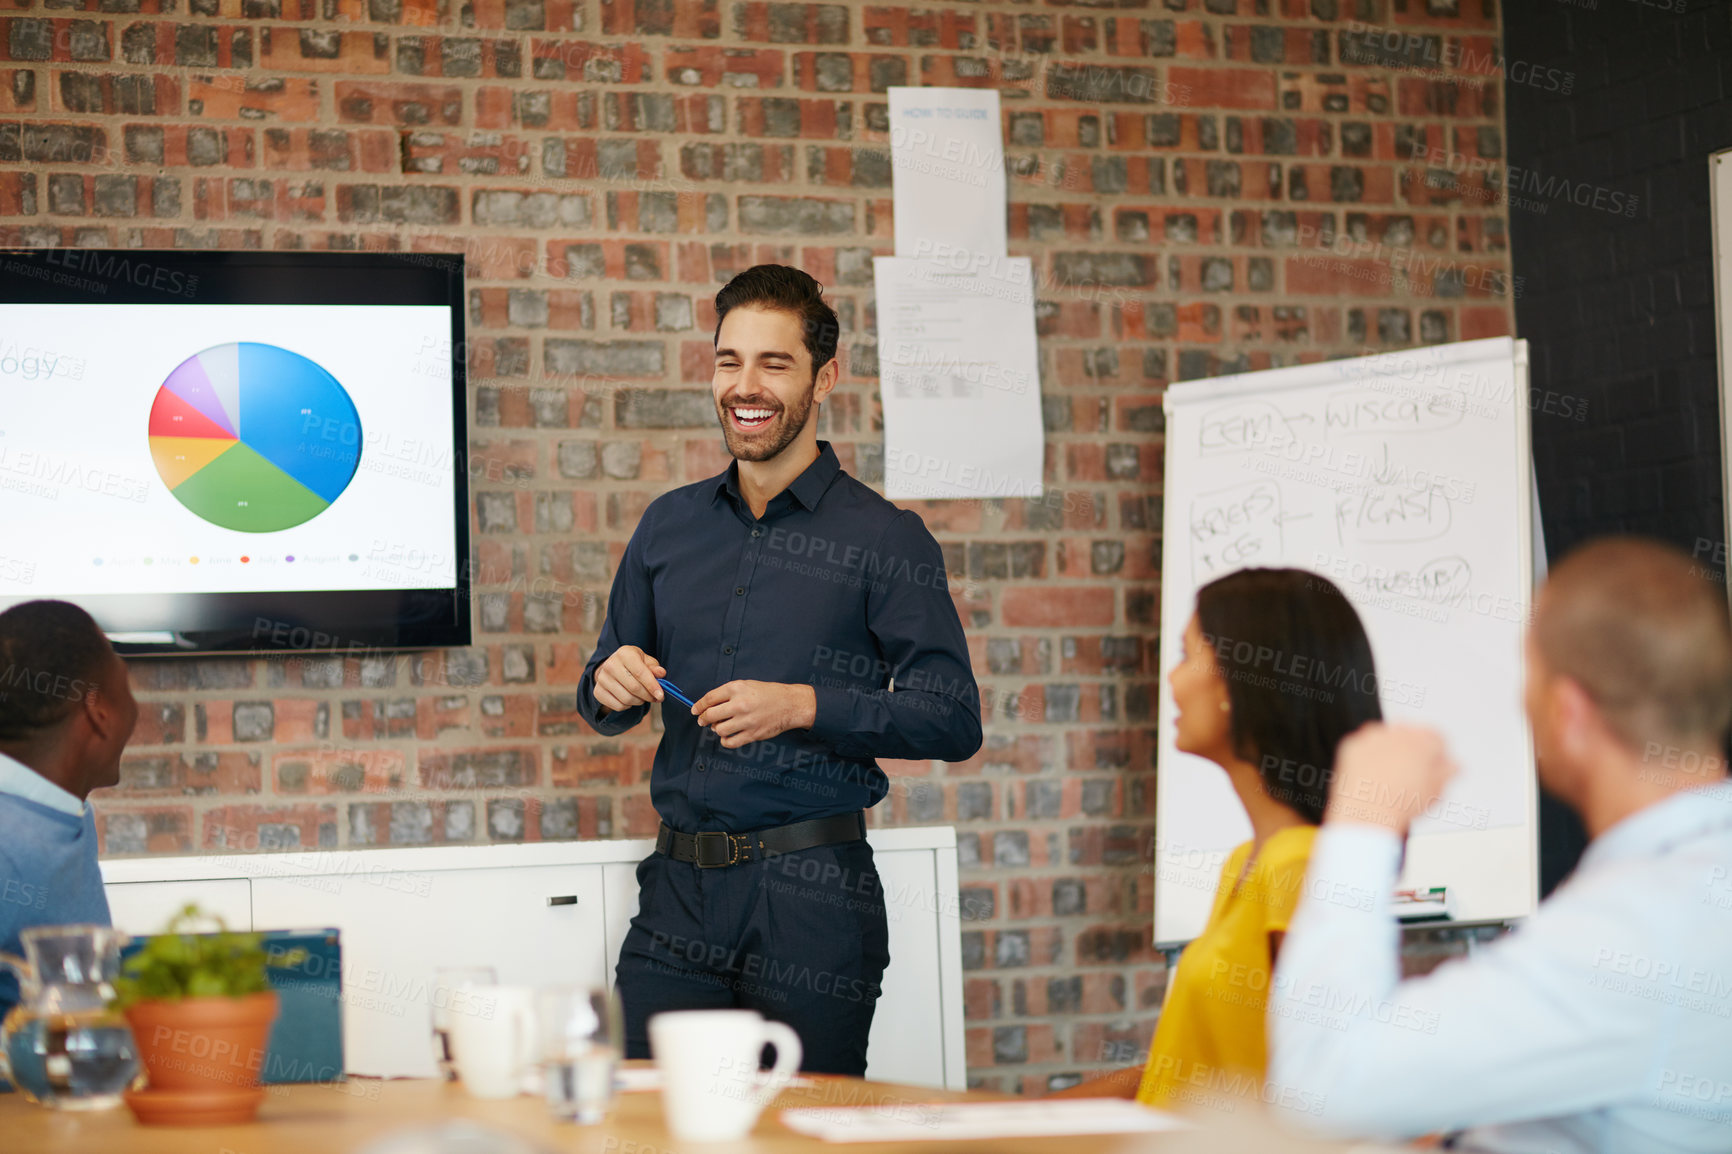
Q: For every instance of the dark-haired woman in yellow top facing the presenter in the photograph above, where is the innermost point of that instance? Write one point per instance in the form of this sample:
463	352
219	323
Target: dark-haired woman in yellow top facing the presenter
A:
1276	671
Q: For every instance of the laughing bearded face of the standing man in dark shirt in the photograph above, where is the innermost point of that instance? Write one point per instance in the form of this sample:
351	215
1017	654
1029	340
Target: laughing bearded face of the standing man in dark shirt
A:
765	384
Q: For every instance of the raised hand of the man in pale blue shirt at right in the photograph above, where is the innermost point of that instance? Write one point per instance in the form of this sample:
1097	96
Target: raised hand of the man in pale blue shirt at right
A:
1388	775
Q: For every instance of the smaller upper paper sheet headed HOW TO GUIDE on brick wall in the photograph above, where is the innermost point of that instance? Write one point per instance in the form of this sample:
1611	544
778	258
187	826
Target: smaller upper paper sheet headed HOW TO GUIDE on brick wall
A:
948	172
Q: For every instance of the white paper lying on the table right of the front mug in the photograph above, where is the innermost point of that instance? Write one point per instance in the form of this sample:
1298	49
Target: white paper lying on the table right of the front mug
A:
940	1122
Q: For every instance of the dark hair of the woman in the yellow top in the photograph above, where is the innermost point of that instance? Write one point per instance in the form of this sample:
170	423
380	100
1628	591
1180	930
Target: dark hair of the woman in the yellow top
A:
1300	677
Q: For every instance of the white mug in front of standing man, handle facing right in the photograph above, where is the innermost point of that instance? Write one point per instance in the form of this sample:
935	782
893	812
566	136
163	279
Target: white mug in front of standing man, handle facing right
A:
713	1086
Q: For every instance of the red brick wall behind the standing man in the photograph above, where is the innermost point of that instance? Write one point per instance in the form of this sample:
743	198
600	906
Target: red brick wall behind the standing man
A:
1180	171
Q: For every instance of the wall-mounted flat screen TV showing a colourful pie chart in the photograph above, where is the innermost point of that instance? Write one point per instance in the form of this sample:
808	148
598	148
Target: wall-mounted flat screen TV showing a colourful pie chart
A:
236	451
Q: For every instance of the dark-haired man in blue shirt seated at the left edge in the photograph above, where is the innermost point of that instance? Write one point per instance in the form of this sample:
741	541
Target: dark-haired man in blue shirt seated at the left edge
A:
67	713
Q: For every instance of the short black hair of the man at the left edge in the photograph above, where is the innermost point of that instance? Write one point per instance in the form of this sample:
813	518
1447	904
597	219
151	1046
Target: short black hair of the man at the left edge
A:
51	656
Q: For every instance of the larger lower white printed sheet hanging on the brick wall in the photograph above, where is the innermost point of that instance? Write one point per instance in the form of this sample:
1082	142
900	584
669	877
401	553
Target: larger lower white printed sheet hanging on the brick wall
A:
960	377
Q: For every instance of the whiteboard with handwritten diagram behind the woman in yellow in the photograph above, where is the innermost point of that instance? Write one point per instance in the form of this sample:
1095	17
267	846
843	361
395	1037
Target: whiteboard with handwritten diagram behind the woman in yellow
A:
1407	481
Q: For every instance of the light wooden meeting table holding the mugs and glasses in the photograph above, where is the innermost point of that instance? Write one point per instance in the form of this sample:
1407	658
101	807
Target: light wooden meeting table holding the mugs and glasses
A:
344	1118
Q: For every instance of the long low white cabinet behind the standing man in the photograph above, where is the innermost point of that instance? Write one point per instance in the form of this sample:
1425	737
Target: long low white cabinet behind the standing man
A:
543	914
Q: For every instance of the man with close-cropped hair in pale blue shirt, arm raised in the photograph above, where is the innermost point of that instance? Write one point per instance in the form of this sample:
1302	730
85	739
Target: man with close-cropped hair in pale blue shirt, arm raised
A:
1605	1023
